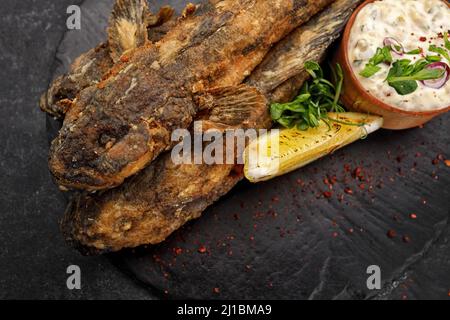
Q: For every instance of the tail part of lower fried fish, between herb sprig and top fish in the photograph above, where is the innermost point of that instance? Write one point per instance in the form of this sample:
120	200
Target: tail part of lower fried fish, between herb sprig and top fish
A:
282	70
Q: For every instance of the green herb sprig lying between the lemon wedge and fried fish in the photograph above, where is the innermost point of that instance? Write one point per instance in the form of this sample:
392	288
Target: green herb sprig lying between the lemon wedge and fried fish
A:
317	97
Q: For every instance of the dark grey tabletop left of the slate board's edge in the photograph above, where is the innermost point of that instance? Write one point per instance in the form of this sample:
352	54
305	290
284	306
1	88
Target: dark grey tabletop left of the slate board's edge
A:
33	255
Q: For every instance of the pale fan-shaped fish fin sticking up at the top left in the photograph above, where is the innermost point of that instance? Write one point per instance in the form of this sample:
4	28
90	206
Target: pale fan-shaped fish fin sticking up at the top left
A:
127	26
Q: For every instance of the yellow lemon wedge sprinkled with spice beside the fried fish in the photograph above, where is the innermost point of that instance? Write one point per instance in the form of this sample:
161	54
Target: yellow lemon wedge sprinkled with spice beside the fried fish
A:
285	150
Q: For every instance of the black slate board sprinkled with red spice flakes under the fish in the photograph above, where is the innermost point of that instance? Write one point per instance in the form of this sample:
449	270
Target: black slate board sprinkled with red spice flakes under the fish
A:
289	239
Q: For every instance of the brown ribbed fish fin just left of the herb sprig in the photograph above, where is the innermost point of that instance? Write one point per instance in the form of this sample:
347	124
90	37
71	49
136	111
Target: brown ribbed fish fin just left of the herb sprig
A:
238	107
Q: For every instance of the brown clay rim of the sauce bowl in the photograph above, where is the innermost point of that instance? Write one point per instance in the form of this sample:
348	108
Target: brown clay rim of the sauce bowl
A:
357	83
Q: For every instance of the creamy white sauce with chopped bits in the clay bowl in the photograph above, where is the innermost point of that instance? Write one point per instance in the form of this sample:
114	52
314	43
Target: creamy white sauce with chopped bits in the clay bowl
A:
409	22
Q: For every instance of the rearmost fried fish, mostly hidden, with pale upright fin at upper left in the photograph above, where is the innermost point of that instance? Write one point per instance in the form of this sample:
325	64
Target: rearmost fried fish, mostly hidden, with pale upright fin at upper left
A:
90	68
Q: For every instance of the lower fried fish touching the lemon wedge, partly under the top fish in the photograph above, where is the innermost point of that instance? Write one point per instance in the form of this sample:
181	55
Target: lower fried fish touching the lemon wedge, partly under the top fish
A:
147	208
